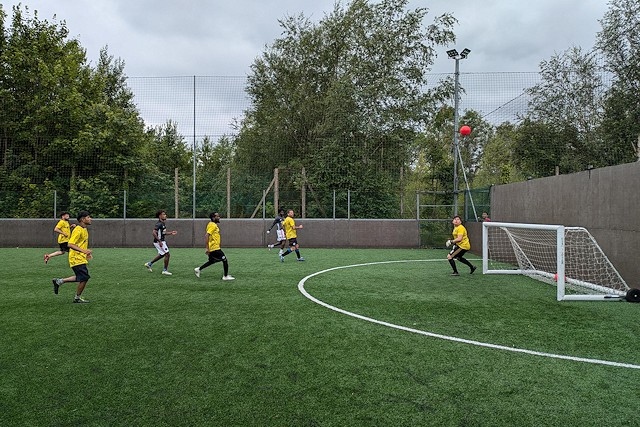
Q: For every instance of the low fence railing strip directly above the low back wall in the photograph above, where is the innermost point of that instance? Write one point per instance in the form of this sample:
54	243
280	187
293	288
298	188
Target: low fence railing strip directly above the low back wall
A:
336	204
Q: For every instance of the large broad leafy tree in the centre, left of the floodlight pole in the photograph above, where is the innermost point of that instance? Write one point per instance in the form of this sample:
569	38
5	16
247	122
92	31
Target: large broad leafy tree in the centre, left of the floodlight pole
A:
344	99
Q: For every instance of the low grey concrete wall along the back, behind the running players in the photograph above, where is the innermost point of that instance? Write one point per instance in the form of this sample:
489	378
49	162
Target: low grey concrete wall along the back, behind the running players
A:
240	233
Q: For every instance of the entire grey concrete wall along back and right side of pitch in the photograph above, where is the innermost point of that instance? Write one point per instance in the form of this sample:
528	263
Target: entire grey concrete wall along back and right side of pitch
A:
605	201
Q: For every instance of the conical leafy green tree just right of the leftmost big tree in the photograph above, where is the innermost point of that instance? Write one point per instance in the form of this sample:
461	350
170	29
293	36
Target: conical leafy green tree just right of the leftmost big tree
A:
105	155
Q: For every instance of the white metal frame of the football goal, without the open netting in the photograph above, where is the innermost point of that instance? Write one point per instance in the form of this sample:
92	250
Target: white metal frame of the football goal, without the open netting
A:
596	291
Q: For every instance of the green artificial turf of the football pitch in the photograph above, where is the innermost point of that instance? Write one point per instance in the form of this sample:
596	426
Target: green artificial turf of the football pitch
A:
181	351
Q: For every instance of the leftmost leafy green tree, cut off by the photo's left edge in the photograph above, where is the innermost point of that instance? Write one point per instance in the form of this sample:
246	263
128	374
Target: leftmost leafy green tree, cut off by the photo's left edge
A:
41	70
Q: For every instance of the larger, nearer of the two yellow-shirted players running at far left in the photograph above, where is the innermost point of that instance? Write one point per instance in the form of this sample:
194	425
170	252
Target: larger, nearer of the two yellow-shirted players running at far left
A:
79	256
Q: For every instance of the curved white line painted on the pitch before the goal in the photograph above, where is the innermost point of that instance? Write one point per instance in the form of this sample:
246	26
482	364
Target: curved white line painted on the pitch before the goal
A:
444	337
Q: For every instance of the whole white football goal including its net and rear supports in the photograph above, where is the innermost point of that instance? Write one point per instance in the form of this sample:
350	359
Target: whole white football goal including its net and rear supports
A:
567	257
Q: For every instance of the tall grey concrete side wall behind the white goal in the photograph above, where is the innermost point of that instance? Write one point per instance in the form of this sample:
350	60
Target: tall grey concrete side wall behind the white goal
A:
605	201
